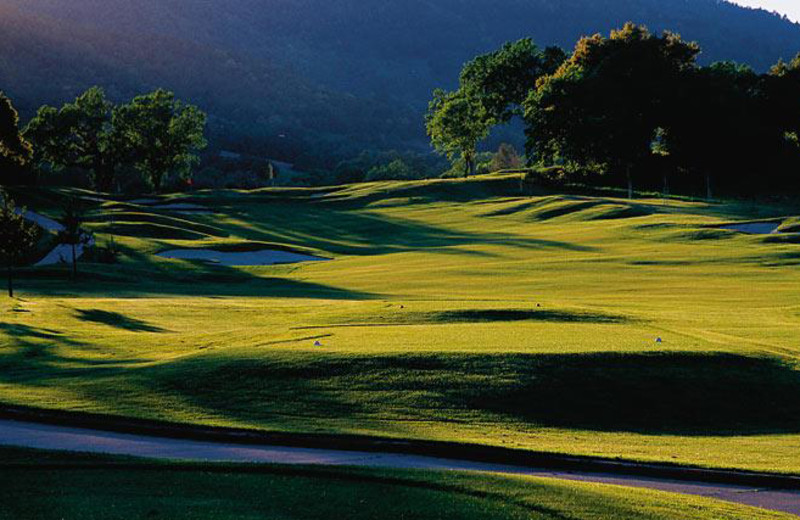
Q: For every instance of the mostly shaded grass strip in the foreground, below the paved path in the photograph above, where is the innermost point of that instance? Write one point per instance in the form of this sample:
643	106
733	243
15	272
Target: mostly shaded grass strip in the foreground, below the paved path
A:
45	485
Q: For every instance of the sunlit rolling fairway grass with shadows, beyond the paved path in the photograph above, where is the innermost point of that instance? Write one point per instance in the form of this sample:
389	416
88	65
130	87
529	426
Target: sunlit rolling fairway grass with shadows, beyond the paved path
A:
452	310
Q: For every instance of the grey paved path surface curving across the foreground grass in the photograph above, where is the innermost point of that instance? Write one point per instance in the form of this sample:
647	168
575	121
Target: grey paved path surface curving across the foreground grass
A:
31	435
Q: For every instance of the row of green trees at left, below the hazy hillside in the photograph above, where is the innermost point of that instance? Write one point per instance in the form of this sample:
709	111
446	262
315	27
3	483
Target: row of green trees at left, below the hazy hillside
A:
154	137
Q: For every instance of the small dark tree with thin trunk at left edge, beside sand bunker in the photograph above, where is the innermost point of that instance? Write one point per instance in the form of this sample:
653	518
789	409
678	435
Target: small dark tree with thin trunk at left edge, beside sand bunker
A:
17	237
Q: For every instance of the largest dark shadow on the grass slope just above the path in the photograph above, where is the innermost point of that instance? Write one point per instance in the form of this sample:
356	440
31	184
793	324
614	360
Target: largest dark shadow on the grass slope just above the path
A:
660	393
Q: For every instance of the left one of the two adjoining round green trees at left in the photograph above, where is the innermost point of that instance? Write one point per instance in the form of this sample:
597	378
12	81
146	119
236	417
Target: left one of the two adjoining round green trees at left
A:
79	135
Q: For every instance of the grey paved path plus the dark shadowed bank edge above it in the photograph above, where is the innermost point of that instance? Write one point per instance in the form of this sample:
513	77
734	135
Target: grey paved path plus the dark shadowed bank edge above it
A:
64	431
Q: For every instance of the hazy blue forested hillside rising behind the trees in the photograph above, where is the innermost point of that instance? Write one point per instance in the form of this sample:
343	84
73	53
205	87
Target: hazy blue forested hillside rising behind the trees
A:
347	72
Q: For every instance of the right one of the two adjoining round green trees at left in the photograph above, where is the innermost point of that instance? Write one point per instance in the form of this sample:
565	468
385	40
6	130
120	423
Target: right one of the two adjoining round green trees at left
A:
162	136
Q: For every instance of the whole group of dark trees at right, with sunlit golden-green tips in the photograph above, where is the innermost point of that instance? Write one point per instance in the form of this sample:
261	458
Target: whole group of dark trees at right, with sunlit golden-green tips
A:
632	106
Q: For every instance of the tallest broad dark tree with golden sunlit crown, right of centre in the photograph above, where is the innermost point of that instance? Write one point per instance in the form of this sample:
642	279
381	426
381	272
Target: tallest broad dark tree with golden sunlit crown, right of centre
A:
604	104
